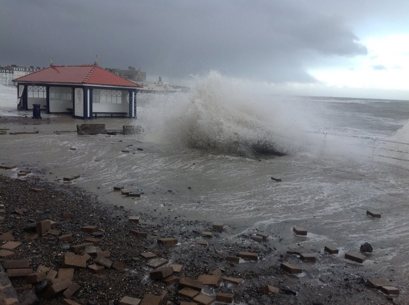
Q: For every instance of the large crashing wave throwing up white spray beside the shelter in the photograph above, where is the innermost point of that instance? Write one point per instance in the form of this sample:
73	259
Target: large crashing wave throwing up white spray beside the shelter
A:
222	115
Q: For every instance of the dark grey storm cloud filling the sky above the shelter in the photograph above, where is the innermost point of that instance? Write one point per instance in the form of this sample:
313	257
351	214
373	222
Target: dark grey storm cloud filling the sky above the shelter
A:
273	40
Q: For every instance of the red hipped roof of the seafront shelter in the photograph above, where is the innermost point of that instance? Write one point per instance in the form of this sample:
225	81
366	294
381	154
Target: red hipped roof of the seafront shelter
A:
84	75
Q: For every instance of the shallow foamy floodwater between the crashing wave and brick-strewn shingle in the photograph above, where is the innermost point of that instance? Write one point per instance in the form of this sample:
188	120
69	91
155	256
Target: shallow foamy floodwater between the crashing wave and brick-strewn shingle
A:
325	193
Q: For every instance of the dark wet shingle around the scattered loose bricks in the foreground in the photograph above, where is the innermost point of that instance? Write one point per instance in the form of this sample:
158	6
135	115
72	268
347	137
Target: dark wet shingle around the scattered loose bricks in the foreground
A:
331	280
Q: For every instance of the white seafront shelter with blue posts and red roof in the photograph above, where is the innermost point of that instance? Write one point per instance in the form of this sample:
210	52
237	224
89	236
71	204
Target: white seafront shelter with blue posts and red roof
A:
86	91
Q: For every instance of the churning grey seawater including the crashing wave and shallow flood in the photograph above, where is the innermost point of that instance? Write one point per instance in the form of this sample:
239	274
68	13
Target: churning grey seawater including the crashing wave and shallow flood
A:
210	154
